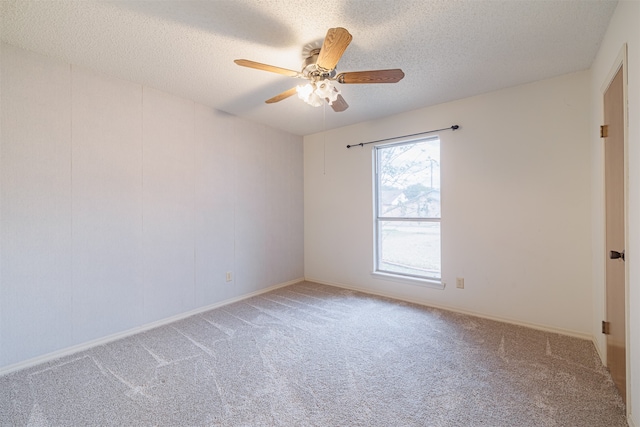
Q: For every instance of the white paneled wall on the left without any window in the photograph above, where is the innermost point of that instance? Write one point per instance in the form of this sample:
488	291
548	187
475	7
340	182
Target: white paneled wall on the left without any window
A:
122	205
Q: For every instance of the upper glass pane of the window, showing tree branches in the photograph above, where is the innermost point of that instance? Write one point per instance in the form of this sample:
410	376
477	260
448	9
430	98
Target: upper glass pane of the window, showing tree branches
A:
409	180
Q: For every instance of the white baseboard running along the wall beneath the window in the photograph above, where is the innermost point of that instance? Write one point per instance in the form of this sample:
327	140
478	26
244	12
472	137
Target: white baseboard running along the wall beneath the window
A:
545	328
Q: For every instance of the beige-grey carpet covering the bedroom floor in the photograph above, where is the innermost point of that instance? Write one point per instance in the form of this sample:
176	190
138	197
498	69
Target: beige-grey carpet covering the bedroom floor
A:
314	355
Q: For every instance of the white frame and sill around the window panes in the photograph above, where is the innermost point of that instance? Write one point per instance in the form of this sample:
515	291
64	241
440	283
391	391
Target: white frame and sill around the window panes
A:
435	282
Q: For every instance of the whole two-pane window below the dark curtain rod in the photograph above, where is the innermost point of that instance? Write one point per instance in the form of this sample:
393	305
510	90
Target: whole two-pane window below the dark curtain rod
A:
407	211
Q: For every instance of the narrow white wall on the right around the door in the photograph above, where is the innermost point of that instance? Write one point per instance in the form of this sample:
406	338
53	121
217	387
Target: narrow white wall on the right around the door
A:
623	28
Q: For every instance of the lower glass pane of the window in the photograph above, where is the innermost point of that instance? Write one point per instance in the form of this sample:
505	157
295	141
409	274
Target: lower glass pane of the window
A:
409	248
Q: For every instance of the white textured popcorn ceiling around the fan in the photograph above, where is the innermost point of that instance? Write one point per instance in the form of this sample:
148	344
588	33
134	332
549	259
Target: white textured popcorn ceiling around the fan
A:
448	49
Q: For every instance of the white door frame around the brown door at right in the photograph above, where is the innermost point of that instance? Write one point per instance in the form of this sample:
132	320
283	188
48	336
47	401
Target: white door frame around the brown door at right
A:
619	63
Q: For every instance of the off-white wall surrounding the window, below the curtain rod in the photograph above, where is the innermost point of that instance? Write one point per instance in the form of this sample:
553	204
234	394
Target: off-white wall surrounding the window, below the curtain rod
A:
516	191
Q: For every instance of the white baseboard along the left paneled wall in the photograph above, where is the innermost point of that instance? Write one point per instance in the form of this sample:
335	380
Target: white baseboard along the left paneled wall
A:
104	340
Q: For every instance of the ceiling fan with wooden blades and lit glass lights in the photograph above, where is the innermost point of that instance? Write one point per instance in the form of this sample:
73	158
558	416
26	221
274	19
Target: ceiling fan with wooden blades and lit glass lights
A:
319	67
